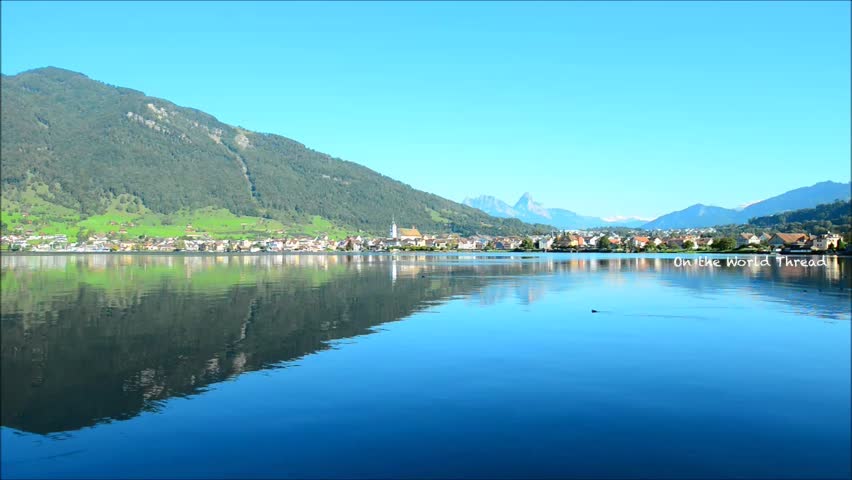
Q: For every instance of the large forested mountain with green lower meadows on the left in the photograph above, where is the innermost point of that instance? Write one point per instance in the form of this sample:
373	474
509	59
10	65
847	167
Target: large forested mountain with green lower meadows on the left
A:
75	149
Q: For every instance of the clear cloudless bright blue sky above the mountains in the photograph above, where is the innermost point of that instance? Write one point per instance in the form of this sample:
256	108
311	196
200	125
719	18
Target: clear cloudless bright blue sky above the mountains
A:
603	108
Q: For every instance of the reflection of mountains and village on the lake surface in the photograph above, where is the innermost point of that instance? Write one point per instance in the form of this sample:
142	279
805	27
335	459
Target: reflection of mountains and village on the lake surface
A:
92	338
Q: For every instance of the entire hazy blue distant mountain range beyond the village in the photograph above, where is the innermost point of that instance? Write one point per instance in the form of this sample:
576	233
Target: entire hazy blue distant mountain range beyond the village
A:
691	217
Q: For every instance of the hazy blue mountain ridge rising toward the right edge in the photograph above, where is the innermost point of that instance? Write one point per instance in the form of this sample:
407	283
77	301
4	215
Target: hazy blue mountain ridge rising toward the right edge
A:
708	216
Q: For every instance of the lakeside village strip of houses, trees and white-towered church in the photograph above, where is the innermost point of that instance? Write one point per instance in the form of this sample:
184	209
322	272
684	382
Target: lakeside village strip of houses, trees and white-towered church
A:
411	239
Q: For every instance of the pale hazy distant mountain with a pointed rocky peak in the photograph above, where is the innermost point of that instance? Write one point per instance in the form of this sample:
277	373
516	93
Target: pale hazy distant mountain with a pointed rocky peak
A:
529	210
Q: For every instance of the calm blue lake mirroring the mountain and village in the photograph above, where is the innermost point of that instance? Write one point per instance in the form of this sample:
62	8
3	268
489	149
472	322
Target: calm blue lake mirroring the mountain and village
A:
426	366
